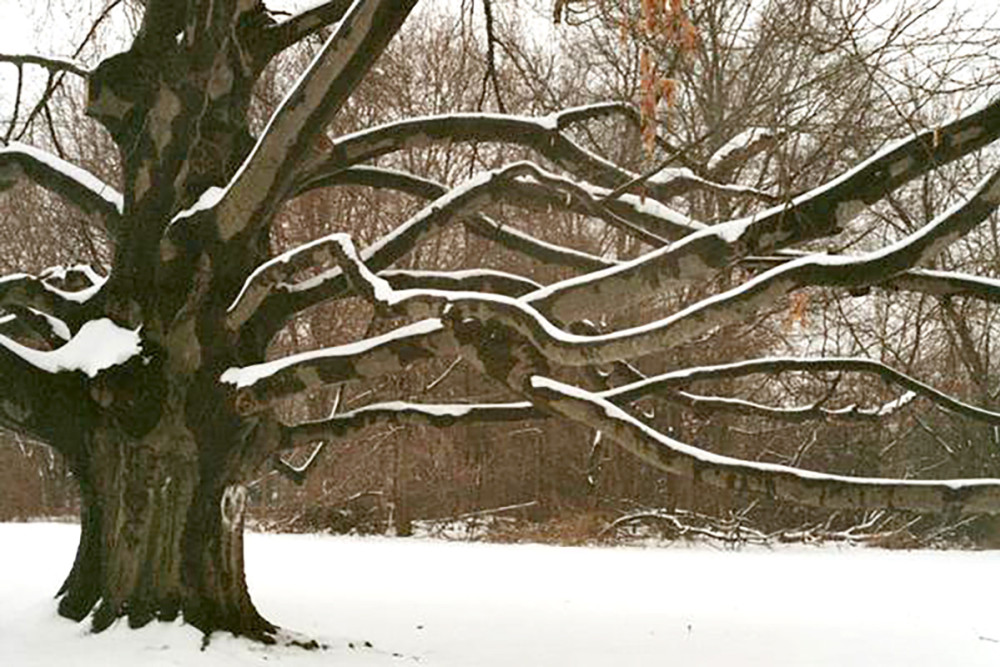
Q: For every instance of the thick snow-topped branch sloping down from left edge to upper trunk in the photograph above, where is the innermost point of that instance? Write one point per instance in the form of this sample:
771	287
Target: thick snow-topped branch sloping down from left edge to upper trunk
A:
76	185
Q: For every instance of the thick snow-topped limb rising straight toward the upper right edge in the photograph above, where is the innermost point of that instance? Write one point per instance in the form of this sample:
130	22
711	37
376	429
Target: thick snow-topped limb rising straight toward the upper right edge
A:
815	214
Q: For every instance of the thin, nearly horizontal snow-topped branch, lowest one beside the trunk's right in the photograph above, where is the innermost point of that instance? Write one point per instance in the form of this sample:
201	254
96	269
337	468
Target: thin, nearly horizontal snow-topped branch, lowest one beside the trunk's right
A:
401	413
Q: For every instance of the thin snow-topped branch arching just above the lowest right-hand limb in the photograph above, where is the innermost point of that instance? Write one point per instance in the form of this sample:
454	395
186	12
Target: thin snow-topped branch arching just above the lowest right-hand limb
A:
771	365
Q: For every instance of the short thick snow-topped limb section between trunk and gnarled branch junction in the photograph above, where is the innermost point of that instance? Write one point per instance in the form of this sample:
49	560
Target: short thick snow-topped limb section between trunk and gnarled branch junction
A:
259	385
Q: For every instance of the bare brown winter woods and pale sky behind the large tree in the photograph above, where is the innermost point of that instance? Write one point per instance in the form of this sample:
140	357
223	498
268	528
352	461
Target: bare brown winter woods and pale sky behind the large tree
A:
771	99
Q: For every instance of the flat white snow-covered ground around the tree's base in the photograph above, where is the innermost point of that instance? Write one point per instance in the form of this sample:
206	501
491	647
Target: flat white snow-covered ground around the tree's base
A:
425	602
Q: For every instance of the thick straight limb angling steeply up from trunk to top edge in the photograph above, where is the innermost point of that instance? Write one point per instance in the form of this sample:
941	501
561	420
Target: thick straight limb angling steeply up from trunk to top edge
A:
267	175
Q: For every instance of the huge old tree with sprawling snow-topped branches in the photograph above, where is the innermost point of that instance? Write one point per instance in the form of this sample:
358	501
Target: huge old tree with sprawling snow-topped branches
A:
155	383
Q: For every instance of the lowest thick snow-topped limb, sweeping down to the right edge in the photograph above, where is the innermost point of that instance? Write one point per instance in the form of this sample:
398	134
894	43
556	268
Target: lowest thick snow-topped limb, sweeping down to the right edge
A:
772	480
